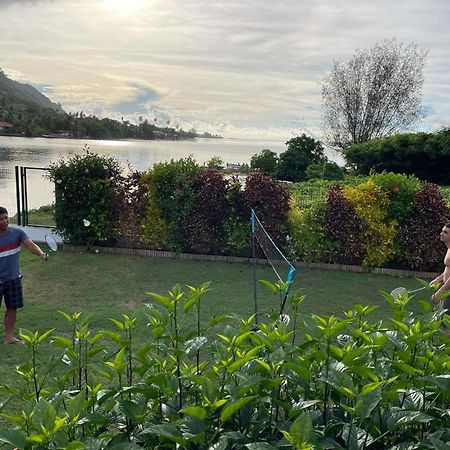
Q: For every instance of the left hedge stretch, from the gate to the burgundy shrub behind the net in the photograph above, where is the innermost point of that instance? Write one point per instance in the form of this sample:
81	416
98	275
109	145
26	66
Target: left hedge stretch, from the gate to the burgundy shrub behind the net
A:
177	206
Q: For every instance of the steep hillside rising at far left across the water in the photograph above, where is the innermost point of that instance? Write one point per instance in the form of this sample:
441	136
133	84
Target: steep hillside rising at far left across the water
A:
23	97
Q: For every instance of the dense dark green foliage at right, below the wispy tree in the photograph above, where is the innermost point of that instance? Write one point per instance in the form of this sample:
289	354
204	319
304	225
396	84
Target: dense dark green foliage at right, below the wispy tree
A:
424	155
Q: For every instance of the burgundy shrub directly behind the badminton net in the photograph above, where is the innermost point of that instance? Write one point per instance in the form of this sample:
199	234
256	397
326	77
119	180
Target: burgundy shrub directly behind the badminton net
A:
270	201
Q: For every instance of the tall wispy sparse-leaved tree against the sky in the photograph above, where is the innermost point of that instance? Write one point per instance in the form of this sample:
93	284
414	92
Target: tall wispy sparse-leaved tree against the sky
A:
376	93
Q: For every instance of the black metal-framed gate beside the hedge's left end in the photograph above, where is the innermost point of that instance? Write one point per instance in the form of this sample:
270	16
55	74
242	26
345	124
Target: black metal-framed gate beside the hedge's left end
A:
35	197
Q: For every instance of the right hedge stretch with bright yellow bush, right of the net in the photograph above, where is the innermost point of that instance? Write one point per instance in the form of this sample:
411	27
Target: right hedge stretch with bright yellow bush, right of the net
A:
389	220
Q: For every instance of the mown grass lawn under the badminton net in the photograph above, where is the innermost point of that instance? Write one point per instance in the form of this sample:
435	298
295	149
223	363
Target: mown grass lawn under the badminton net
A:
104	286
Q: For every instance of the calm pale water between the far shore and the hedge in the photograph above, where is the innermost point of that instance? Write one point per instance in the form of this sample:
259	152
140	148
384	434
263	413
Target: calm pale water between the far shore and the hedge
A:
40	152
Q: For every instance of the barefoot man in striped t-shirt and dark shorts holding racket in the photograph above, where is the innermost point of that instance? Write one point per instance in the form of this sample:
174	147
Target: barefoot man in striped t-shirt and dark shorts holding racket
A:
11	240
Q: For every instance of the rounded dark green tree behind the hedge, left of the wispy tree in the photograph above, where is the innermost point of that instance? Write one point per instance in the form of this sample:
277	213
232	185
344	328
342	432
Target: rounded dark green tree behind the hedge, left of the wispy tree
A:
302	151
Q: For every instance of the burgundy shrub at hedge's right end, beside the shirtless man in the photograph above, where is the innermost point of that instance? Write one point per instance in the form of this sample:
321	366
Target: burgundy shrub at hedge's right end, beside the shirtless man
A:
420	235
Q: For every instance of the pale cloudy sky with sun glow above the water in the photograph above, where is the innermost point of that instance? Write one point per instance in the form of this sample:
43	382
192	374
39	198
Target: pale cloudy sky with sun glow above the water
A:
239	68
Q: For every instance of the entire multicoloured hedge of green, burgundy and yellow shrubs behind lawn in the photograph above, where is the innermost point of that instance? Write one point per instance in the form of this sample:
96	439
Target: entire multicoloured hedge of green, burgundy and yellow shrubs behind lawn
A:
385	220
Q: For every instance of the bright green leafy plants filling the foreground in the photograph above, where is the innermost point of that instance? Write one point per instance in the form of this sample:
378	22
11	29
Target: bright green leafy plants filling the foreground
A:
347	383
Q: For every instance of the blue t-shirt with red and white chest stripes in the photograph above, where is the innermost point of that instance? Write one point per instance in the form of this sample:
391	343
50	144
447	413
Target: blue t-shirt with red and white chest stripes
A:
9	253
